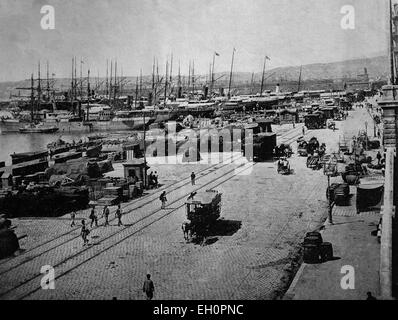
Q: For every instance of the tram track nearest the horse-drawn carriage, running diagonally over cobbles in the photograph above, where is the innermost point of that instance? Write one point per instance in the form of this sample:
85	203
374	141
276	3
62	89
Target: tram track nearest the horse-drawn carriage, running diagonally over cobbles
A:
225	177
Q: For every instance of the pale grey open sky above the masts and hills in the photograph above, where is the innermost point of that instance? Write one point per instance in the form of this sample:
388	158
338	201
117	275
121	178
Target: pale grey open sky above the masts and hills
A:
290	32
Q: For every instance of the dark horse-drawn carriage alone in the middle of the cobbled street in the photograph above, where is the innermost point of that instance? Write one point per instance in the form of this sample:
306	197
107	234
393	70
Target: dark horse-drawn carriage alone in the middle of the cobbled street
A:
203	211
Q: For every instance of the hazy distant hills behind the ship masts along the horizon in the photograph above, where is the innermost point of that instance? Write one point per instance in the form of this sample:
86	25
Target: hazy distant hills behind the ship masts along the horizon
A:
377	68
